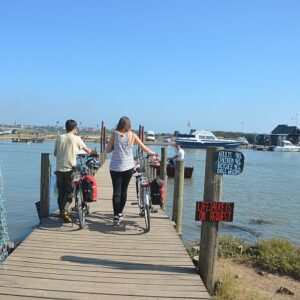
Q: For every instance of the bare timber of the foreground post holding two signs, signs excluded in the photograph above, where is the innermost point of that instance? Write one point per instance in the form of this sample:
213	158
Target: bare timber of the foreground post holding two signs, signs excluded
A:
209	230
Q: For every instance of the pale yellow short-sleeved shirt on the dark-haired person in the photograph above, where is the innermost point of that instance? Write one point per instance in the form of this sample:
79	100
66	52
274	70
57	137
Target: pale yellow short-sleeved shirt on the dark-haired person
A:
66	147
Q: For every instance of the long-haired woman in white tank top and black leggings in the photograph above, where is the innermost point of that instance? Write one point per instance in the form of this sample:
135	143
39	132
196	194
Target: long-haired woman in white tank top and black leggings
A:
122	164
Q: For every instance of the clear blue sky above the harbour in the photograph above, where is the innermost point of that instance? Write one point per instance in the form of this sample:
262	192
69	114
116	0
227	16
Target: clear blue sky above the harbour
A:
222	65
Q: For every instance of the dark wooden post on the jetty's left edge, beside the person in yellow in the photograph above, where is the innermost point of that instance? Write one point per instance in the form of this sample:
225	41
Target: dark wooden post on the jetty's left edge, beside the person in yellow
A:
44	188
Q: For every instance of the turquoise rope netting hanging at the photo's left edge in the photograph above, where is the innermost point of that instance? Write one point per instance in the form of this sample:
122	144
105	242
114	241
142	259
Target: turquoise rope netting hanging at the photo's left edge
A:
4	239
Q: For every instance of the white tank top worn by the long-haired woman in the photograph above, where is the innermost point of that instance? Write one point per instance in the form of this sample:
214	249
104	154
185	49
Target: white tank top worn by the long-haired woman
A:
122	156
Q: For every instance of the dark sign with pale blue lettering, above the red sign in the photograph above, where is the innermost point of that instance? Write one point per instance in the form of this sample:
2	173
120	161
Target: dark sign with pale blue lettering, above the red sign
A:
228	162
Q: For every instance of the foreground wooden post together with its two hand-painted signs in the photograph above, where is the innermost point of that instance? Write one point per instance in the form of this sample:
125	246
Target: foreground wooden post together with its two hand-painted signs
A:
211	211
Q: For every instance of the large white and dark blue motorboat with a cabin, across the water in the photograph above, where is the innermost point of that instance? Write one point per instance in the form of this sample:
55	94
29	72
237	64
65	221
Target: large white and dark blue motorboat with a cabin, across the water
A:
203	139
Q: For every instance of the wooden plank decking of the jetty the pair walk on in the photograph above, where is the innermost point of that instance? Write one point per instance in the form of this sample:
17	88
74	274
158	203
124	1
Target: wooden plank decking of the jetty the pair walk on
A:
59	261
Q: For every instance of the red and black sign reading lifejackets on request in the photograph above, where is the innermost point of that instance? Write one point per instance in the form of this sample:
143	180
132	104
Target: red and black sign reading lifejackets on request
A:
214	211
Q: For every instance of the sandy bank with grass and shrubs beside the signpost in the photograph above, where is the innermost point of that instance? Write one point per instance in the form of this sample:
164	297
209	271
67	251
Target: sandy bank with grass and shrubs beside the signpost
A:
256	271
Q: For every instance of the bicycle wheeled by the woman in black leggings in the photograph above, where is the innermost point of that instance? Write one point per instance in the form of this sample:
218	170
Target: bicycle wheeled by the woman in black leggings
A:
143	193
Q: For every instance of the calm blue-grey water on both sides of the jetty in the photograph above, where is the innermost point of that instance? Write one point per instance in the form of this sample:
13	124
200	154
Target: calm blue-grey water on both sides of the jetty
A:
267	190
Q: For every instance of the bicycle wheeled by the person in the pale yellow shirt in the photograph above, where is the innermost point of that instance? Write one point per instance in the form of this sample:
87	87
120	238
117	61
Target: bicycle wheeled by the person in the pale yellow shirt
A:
83	168
